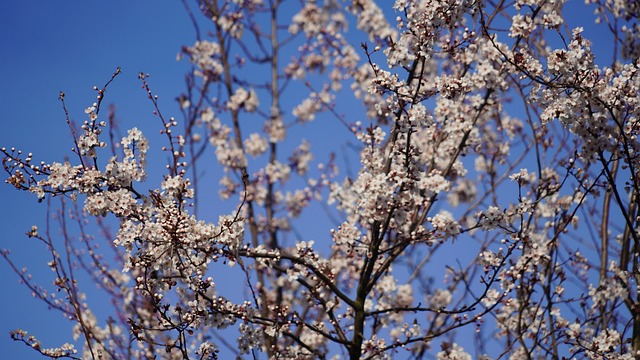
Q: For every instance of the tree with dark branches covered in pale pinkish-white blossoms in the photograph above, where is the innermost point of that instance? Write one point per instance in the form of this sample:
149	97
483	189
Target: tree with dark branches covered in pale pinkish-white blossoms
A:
493	212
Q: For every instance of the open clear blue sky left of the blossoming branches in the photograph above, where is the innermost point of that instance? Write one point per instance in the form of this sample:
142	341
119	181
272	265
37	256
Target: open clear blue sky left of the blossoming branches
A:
72	45
